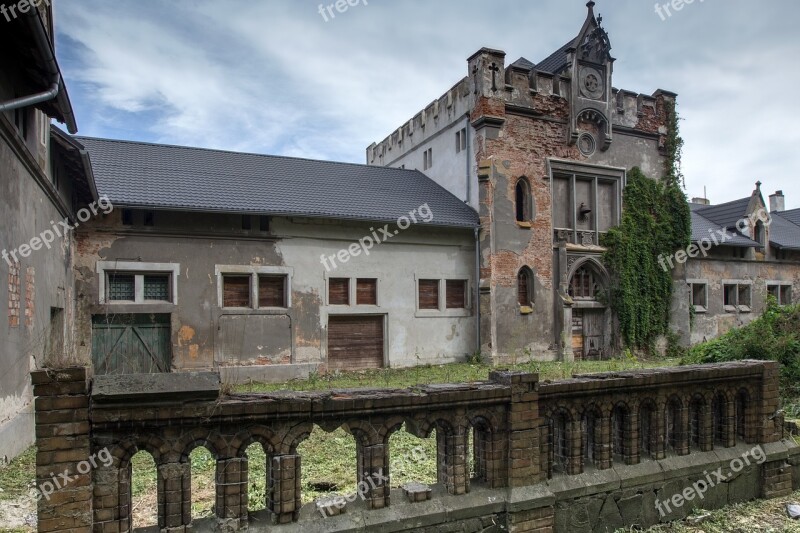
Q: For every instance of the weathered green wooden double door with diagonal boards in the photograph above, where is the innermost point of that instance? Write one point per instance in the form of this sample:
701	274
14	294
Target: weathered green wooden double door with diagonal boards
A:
131	344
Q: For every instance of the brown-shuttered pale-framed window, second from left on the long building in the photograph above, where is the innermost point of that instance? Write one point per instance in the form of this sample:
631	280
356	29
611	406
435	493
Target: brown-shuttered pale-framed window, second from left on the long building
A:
255	288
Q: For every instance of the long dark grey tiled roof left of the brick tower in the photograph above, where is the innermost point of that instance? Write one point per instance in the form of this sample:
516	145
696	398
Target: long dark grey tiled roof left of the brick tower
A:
137	174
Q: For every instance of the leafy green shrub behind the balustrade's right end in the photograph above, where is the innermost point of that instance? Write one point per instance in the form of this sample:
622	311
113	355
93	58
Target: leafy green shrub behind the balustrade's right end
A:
774	336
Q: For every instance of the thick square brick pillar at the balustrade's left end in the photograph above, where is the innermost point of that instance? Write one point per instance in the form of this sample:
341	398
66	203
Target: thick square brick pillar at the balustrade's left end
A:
63	458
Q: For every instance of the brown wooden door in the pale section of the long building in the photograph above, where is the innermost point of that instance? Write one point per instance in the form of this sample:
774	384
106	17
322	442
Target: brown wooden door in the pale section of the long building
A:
355	342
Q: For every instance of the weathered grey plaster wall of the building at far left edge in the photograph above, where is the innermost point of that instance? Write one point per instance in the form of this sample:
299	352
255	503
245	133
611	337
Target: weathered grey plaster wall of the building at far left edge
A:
39	282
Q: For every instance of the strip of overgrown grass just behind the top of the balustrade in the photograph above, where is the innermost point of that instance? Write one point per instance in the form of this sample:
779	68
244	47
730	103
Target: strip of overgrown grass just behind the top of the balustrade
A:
400	378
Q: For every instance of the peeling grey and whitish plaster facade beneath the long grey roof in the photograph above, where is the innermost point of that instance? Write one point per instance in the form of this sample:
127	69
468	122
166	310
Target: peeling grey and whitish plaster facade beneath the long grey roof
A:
202	332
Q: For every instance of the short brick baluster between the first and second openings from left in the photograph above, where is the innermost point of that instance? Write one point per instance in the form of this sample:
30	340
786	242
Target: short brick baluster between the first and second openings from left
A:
175	498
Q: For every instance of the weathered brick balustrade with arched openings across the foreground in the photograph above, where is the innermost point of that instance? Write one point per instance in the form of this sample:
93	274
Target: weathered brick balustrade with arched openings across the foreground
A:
510	417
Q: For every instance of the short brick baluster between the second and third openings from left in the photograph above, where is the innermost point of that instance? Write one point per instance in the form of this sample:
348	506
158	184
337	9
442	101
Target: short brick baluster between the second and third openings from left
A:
231	501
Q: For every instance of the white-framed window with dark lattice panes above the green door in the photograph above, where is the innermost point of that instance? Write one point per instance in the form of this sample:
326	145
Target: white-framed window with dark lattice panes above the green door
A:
137	283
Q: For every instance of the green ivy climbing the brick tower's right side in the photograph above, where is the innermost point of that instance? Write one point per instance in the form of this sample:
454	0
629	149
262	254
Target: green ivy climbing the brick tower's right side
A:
655	221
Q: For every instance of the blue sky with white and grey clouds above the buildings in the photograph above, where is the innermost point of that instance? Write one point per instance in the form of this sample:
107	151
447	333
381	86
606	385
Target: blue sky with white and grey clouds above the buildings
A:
276	77
